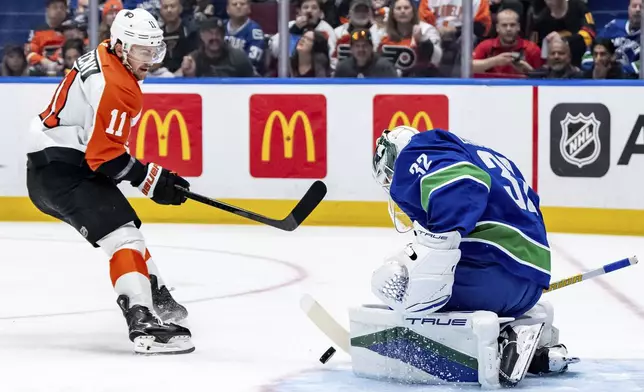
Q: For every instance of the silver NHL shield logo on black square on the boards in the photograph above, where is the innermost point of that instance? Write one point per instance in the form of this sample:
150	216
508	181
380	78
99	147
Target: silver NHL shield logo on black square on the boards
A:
580	144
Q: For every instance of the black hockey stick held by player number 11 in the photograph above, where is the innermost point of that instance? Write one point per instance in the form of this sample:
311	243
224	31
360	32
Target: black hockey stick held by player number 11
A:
302	210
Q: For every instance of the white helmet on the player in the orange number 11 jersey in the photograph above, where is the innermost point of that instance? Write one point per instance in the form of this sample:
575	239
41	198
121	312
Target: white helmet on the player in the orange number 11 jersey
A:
139	33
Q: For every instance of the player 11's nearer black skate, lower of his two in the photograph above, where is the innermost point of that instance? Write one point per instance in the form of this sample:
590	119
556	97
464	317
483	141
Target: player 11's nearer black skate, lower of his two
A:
150	335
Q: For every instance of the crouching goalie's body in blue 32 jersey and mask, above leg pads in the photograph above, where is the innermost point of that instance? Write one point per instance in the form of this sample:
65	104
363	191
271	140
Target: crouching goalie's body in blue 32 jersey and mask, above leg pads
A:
472	204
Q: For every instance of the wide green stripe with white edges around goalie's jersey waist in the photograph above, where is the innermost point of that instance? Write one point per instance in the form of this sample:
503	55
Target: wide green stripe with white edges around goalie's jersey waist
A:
512	242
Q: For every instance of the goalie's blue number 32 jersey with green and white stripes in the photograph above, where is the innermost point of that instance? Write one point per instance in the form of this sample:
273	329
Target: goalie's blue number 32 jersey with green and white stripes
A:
446	183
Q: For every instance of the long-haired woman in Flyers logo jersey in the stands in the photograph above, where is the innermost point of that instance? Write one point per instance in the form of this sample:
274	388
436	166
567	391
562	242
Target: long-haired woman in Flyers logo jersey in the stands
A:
404	32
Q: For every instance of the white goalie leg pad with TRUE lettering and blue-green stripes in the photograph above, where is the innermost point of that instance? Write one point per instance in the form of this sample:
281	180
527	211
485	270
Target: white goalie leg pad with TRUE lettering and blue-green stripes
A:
432	348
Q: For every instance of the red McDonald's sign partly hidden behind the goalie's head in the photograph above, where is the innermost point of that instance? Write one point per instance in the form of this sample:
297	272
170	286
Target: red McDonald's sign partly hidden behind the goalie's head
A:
422	112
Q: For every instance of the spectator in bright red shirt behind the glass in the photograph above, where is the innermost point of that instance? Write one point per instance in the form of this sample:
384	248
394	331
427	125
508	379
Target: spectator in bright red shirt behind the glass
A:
507	54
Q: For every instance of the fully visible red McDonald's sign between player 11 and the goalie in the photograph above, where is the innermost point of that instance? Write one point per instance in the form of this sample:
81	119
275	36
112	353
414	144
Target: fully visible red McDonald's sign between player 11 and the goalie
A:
300	121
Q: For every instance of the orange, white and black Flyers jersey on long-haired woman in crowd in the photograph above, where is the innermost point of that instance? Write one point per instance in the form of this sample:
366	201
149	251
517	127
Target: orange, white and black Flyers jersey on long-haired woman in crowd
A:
403	53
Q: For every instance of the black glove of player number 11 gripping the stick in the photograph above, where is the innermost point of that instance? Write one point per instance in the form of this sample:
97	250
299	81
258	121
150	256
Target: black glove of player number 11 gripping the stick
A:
159	185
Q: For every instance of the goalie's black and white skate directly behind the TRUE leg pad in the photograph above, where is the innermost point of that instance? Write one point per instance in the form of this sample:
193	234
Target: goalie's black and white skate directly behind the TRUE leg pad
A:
517	345
